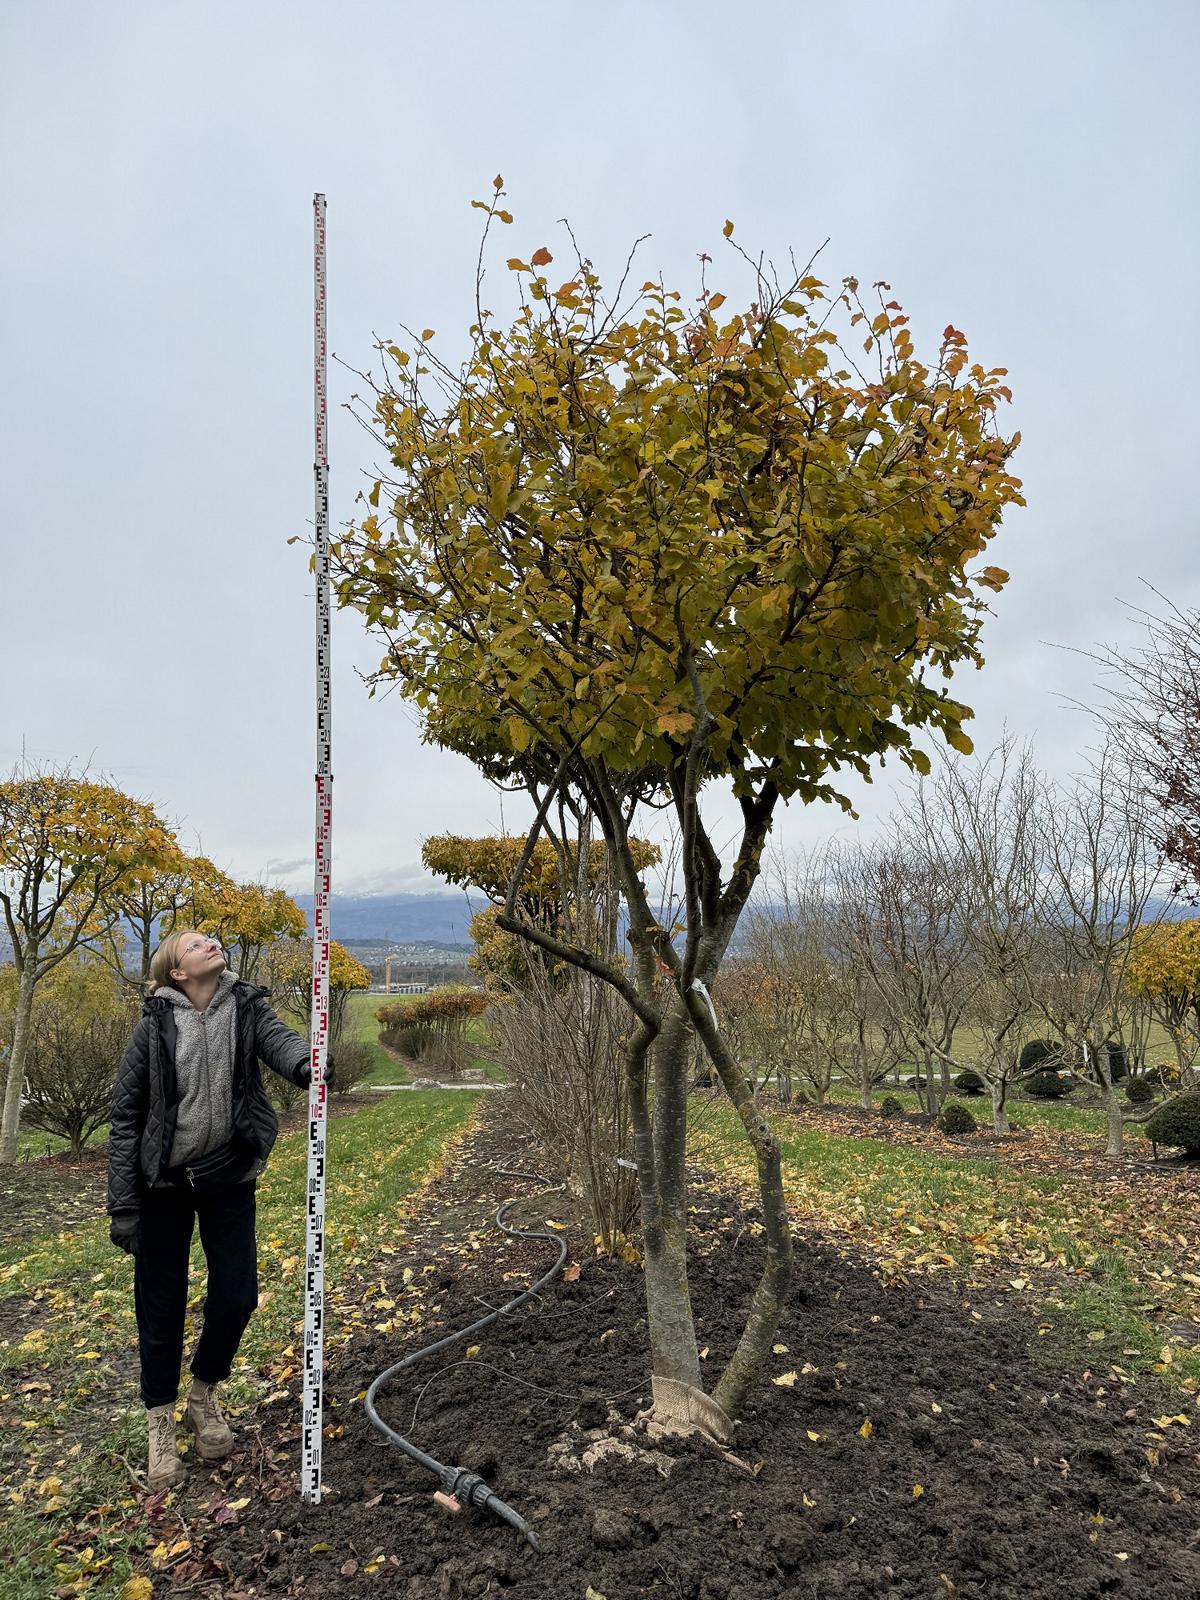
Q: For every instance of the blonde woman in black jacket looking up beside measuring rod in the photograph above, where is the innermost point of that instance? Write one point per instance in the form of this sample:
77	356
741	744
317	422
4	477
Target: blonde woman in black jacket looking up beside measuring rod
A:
191	1132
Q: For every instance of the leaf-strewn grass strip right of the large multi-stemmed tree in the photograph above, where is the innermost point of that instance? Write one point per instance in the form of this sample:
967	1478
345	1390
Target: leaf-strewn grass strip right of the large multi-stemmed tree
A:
1113	1265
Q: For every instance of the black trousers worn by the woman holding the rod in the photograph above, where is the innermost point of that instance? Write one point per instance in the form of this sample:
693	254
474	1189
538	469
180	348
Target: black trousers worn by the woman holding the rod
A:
226	1218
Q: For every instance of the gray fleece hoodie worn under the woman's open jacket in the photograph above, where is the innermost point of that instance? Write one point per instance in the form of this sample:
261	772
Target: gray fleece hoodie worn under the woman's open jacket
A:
204	1068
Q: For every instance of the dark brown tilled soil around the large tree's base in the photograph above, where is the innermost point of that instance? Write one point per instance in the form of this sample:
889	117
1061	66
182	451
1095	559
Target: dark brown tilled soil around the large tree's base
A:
1033	1486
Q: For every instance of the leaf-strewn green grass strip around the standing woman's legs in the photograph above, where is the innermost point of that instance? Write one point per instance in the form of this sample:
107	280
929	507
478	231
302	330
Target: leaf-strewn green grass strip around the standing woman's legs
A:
71	1406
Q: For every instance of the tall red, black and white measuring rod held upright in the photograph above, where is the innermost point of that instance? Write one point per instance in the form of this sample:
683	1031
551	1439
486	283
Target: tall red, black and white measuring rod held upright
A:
314	1250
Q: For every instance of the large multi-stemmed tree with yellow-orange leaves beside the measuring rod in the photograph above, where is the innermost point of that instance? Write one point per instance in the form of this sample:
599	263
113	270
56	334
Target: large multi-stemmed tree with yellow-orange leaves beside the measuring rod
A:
633	551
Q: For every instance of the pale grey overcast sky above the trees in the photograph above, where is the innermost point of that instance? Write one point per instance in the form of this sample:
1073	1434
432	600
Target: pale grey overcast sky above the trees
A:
1026	172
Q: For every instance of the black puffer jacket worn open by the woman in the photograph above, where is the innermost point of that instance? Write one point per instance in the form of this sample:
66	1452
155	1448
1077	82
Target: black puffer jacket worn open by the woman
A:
146	1095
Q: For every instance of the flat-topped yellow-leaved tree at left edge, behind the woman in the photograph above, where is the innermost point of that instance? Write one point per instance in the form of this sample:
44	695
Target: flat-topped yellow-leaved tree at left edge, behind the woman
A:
70	847
